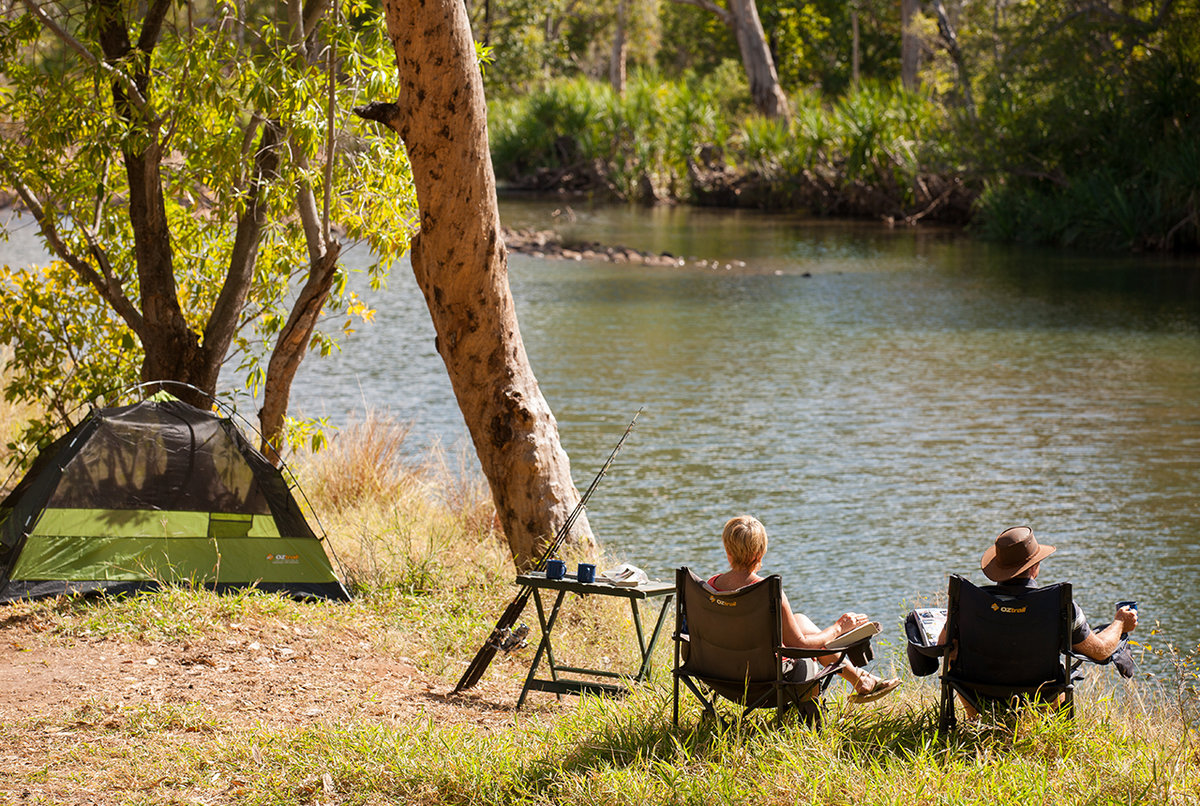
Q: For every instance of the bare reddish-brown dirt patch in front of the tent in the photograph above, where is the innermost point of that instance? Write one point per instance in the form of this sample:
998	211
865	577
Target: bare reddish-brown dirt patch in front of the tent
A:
58	694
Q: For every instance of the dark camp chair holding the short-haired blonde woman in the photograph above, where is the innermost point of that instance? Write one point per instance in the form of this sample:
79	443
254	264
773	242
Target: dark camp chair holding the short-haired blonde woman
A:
731	647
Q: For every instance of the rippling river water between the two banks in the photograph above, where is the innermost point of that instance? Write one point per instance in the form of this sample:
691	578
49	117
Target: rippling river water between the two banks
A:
886	401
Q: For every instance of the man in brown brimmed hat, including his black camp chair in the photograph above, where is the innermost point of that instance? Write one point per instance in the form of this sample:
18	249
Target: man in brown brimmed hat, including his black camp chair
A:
1013	563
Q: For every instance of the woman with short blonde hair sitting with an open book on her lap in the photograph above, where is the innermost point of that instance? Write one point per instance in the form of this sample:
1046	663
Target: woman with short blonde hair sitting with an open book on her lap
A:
746	544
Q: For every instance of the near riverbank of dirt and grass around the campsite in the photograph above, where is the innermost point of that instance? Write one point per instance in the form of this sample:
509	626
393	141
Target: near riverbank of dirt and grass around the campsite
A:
189	697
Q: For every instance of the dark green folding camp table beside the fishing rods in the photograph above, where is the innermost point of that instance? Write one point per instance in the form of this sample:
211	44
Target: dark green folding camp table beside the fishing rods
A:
569	585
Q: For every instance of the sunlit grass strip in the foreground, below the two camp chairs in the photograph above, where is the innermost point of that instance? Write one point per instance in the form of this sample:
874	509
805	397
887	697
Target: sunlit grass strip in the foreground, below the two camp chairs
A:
628	753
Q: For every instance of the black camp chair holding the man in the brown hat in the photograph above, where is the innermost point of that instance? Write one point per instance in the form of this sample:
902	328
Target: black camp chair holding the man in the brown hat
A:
1007	648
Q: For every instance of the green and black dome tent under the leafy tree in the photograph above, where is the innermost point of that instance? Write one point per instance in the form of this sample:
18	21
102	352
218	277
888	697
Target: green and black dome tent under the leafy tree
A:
158	492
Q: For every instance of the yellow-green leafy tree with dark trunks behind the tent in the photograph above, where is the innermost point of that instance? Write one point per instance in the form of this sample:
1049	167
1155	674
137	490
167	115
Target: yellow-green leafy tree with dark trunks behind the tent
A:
193	167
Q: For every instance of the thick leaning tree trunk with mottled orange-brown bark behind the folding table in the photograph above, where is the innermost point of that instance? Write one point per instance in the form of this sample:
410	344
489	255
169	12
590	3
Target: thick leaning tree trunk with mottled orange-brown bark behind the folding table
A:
461	267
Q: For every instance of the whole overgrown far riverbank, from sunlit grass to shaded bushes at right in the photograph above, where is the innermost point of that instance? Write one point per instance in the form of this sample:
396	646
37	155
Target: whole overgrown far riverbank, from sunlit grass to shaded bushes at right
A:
875	153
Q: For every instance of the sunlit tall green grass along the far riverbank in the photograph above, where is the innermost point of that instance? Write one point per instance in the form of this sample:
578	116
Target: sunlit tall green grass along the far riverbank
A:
871	153
